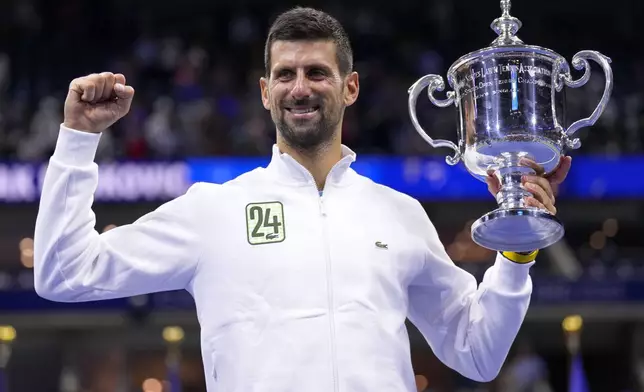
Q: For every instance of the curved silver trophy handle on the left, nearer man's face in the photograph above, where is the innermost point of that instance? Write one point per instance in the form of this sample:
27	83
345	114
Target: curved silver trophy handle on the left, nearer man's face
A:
433	83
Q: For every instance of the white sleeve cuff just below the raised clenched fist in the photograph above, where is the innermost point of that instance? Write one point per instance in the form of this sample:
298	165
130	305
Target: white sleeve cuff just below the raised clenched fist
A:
76	148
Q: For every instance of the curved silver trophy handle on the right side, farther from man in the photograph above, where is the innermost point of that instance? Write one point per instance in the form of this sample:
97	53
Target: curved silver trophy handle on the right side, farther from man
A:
580	61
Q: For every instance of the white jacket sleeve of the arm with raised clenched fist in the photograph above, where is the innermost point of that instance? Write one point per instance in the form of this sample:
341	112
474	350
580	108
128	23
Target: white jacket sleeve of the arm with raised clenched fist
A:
74	263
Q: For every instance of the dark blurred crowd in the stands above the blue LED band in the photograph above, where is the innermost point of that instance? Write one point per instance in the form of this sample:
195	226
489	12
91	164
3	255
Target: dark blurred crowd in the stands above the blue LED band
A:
196	66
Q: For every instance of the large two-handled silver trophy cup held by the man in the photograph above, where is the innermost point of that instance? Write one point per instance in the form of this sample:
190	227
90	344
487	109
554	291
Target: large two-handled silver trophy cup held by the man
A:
511	105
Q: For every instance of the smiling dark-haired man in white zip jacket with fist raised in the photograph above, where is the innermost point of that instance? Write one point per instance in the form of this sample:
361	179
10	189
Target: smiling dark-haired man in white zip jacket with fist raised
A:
303	272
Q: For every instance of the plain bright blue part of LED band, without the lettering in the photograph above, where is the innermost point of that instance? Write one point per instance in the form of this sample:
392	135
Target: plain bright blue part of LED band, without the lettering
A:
432	179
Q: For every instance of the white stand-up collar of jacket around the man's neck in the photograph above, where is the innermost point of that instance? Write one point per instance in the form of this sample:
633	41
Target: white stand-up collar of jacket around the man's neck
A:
288	170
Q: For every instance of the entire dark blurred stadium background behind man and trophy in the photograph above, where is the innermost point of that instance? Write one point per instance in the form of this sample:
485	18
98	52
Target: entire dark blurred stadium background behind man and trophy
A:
197	116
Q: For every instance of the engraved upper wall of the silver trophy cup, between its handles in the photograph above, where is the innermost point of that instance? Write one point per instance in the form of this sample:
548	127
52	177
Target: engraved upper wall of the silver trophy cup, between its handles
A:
508	99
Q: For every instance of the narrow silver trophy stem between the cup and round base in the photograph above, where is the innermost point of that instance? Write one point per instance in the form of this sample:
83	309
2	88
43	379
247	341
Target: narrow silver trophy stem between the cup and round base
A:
509	173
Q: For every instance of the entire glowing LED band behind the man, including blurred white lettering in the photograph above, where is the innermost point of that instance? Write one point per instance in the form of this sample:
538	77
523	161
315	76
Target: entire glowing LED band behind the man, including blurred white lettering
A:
426	179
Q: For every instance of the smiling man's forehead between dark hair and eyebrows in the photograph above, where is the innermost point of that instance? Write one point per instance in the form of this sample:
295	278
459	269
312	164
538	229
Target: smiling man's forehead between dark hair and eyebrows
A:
302	53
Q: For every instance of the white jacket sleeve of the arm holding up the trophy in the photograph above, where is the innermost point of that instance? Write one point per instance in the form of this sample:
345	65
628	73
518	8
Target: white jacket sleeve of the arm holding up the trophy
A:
470	329
